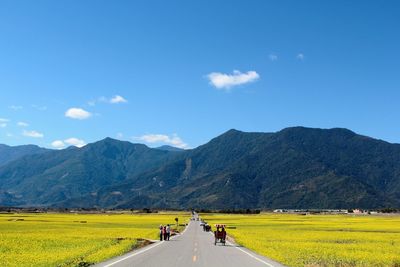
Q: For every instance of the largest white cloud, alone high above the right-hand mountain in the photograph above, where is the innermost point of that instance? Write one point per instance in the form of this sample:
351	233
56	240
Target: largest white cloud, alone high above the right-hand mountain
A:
226	81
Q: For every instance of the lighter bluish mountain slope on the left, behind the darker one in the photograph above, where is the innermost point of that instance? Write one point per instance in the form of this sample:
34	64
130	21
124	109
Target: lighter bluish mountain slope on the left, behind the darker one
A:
60	175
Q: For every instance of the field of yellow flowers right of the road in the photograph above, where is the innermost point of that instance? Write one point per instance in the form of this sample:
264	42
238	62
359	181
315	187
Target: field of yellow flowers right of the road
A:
317	240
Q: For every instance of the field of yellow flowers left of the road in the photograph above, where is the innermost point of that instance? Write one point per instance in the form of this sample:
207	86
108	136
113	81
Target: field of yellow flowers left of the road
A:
74	239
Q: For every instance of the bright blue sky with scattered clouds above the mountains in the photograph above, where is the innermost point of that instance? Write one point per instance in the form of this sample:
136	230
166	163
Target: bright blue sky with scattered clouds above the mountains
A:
184	72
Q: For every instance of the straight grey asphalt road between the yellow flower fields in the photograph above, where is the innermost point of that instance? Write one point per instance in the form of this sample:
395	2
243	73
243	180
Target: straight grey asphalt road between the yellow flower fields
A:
193	247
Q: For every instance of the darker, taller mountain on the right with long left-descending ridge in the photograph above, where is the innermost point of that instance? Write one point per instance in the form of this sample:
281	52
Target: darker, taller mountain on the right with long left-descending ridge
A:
294	168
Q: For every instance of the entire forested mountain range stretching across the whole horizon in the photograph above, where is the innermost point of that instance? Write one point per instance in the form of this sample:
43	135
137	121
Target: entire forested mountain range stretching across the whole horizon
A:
296	167
